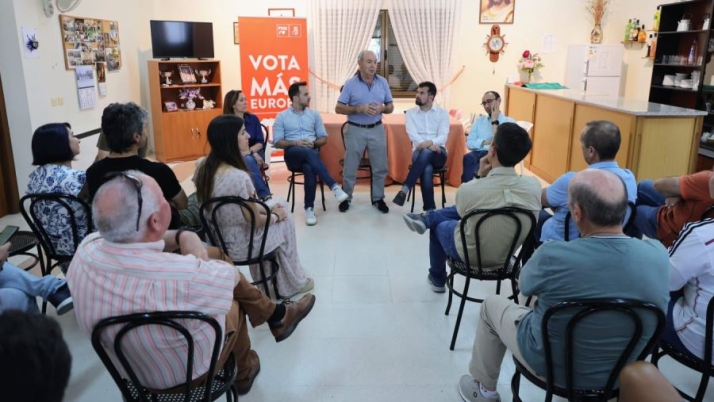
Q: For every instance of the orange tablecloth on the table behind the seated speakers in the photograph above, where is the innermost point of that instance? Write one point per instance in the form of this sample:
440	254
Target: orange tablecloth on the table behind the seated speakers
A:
399	147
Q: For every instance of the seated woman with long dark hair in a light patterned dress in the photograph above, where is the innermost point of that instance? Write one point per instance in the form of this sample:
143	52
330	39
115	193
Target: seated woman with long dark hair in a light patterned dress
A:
224	173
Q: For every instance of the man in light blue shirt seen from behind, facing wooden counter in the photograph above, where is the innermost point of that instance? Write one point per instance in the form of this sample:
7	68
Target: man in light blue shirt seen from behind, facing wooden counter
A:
600	141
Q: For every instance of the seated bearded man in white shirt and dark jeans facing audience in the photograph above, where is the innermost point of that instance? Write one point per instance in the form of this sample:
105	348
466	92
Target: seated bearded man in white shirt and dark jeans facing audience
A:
428	128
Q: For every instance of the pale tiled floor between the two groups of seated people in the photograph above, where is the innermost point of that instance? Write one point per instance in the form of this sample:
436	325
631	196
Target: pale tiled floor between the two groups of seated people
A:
377	332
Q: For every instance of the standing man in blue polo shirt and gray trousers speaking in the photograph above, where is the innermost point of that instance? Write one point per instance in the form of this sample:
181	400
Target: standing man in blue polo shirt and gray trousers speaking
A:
363	99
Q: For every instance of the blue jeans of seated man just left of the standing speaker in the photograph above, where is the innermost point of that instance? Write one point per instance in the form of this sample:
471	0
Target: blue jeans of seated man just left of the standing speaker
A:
307	160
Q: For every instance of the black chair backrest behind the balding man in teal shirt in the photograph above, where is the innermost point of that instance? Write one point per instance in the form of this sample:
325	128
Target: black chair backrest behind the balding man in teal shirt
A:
580	310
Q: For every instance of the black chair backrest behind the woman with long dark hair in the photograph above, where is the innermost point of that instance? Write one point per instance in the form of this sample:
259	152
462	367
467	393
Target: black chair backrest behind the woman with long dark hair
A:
208	212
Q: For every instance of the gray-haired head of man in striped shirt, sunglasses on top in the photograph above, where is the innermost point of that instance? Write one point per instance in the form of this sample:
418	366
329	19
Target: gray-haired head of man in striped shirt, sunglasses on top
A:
119	225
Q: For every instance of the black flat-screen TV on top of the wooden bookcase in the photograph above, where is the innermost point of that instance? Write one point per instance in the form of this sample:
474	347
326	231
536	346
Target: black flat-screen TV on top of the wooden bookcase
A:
182	39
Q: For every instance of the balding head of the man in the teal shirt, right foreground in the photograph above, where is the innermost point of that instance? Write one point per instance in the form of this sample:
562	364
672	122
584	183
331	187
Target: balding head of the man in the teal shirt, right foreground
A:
601	196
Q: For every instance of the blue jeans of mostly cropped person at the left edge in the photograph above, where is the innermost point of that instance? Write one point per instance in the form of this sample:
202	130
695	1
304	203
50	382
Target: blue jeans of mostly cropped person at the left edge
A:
19	288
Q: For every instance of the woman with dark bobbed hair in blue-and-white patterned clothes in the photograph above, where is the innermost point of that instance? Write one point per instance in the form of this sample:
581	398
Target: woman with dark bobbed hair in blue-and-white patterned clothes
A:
54	147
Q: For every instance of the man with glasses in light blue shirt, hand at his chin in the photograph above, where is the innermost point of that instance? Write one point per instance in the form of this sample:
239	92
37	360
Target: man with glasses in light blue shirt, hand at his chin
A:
481	134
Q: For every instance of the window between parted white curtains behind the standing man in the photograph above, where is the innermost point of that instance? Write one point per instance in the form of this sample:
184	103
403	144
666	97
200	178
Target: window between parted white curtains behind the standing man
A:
390	64
